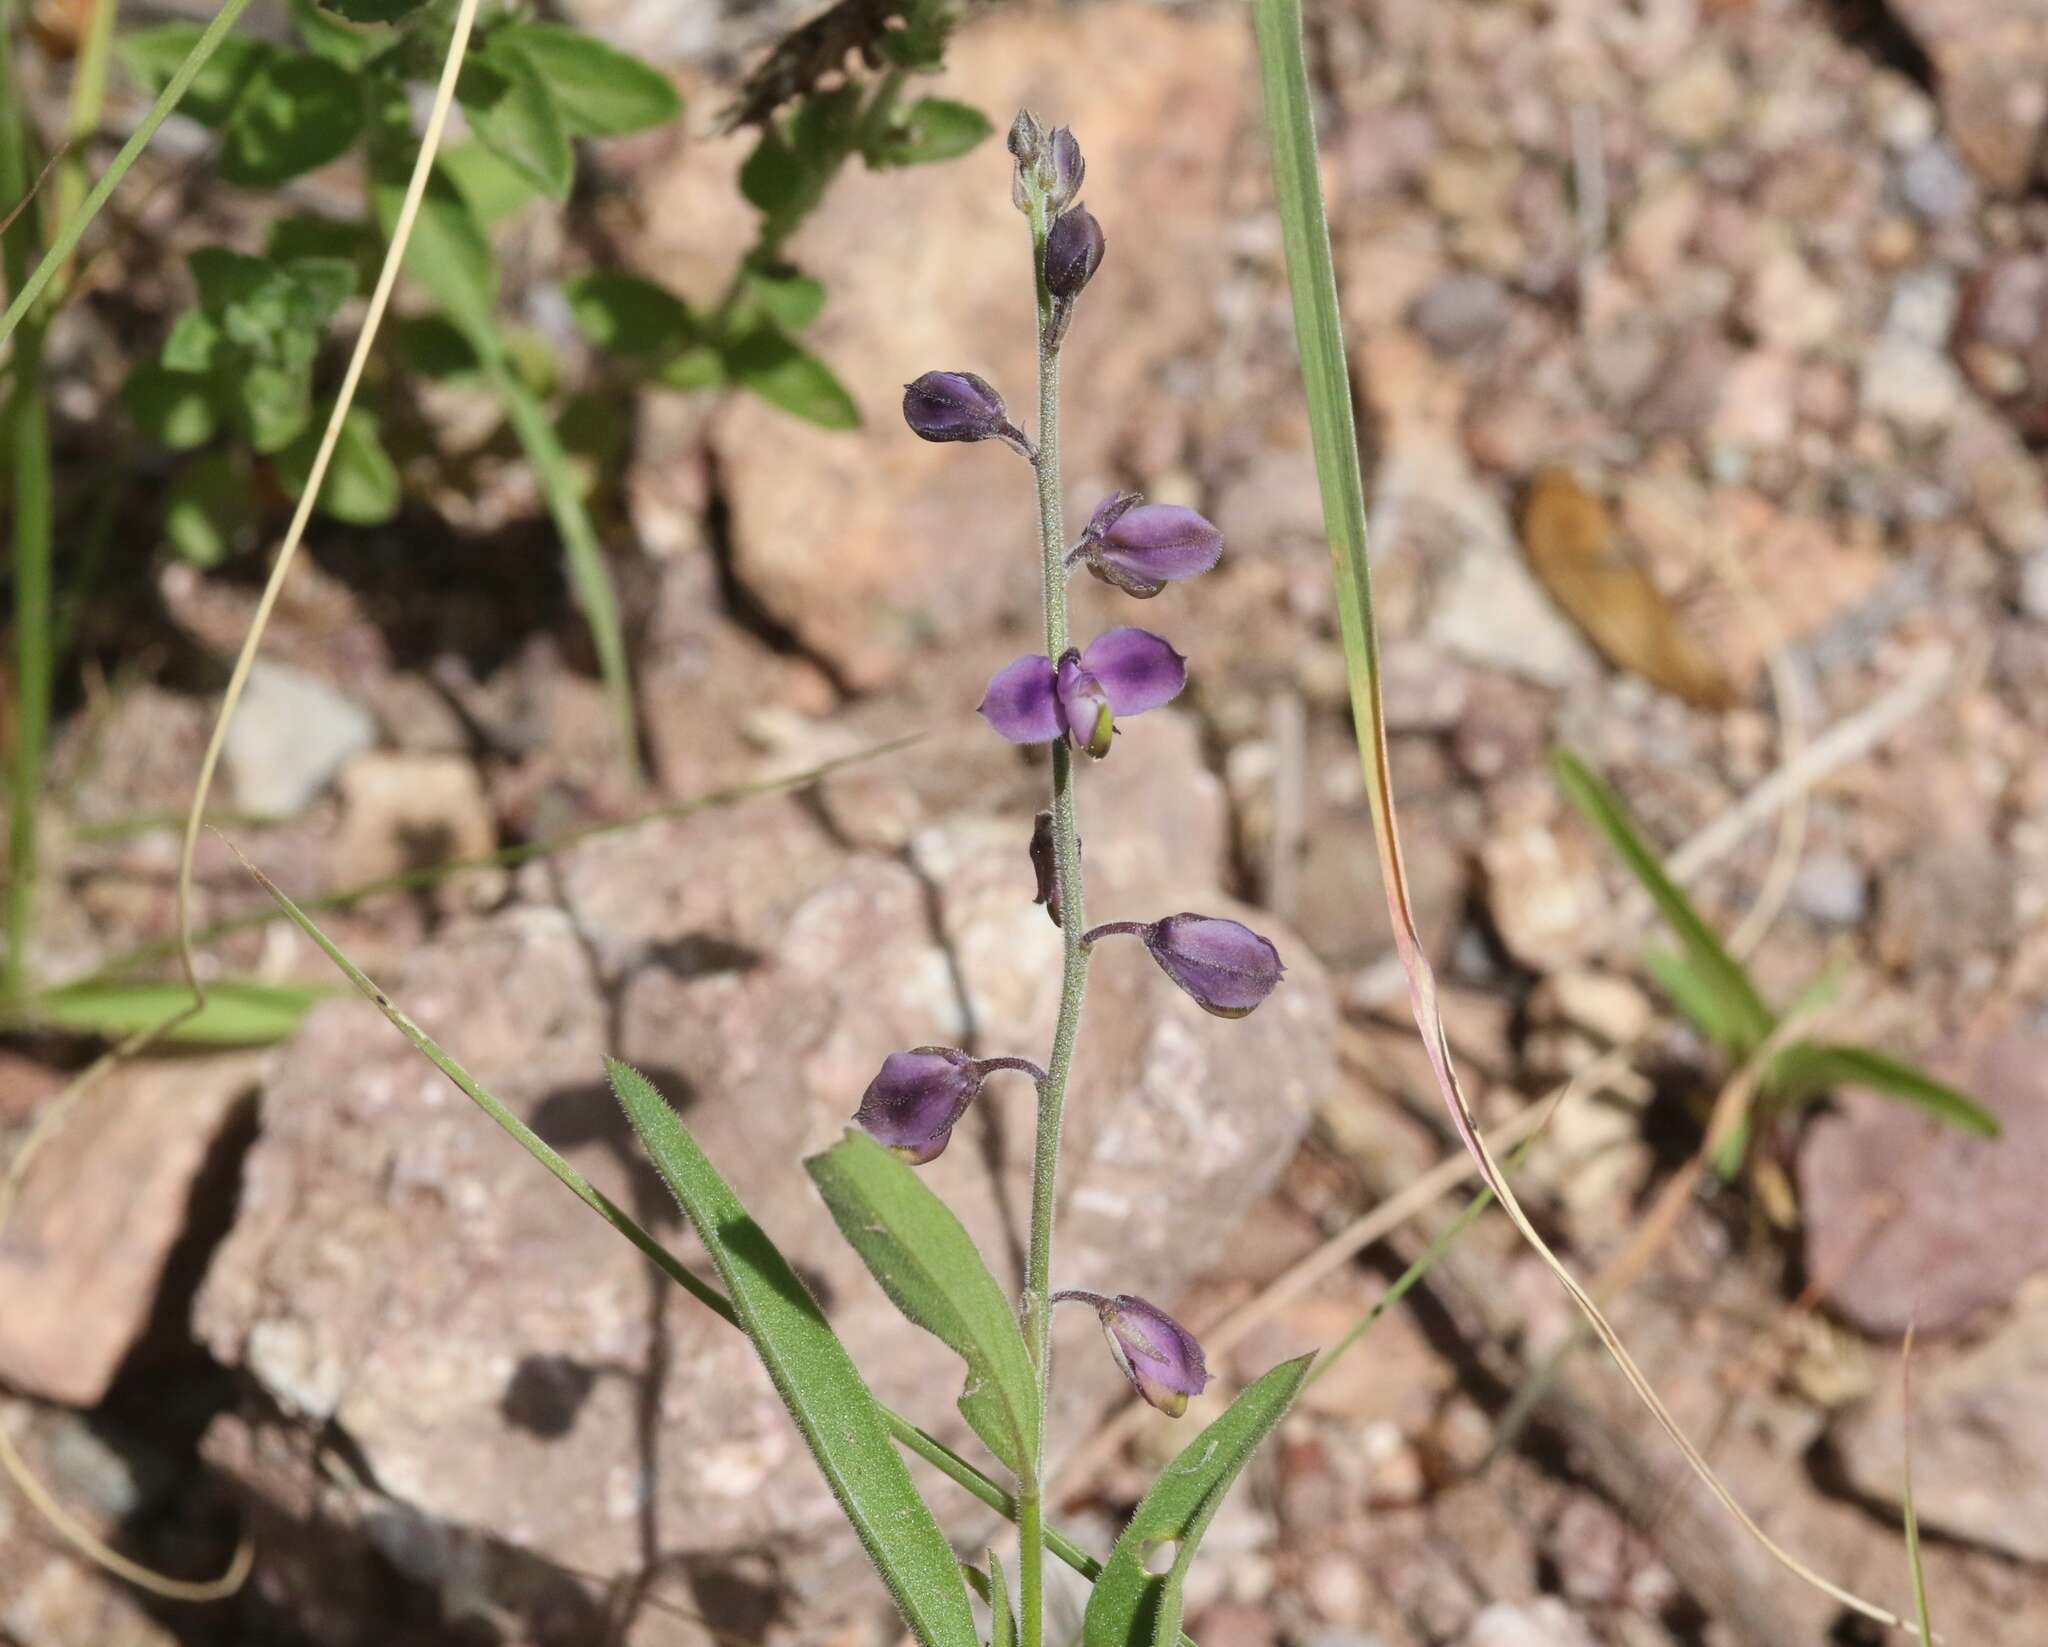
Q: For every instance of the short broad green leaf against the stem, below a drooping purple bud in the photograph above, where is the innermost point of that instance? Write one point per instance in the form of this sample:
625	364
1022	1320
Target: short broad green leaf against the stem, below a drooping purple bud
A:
929	1267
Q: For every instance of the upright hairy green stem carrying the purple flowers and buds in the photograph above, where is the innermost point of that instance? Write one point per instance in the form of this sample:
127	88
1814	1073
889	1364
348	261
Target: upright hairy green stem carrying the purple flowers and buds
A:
1074	923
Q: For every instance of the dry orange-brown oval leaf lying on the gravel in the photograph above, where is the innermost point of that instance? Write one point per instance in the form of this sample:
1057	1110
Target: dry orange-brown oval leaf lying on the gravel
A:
1588	571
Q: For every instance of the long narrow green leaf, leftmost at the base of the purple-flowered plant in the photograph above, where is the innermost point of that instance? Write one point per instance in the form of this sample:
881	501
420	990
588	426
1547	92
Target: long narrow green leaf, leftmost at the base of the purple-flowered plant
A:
814	1376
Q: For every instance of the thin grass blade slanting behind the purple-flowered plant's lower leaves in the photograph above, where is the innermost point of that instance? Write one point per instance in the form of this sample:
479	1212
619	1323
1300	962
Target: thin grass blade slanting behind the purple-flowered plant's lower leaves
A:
908	1435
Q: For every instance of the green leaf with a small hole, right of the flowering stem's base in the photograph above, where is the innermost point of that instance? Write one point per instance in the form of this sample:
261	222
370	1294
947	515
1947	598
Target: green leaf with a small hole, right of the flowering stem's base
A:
1138	1609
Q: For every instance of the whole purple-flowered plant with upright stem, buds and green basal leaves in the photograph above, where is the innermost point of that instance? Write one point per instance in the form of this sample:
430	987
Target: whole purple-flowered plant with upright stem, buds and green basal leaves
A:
1072	700
